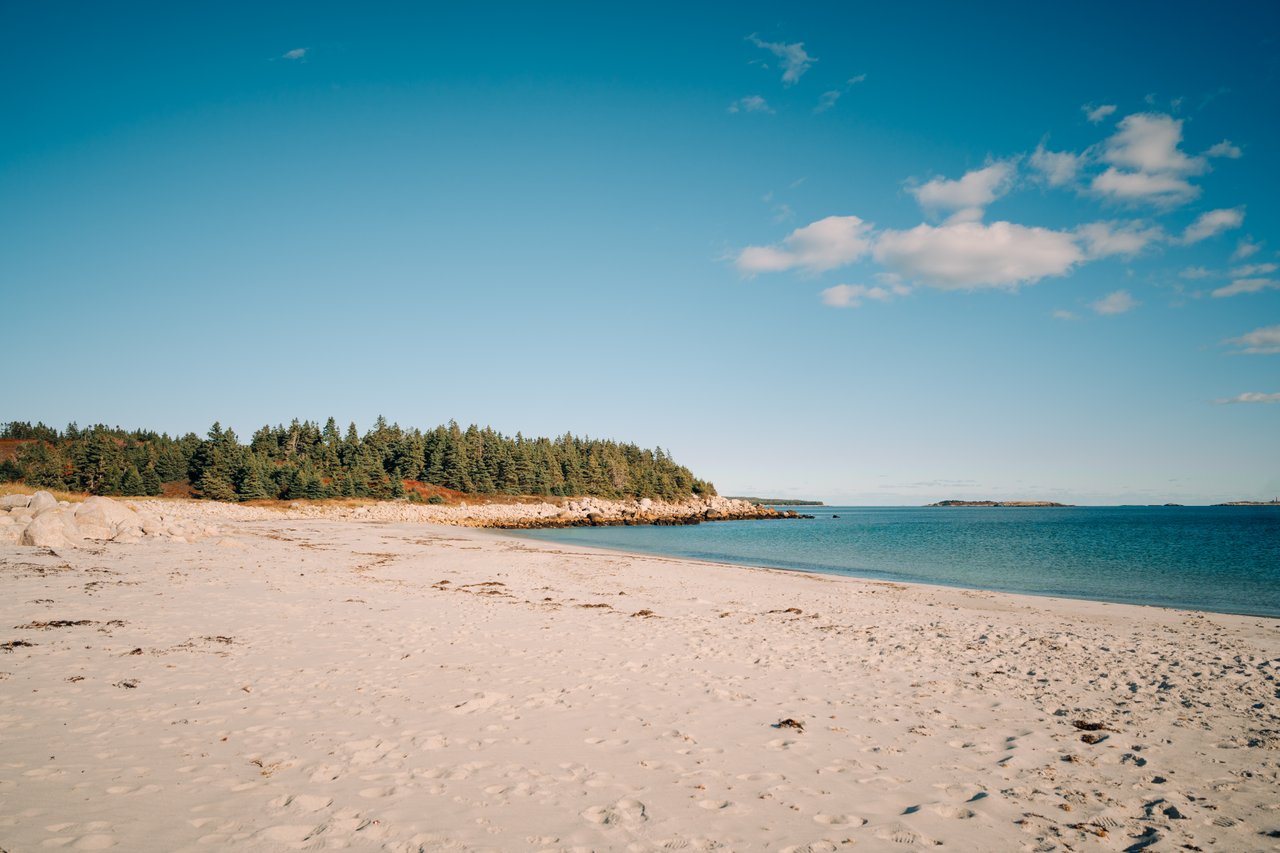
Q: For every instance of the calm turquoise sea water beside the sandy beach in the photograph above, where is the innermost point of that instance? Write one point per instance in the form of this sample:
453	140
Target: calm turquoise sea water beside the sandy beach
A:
1218	559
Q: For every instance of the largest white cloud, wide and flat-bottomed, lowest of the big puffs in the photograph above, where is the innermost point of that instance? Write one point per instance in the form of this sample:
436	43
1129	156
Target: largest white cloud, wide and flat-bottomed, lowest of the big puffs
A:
971	256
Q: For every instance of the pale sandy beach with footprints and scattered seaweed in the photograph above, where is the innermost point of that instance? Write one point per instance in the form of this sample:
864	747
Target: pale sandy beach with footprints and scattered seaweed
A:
312	686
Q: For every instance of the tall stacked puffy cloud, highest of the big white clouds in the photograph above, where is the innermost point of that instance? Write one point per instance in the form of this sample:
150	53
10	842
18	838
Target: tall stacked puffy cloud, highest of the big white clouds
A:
1146	163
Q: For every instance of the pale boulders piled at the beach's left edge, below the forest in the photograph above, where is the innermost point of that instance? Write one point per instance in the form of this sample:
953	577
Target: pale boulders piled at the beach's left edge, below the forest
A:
43	521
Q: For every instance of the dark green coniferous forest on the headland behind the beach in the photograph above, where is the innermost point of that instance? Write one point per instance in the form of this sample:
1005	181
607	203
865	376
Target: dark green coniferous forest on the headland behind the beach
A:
307	460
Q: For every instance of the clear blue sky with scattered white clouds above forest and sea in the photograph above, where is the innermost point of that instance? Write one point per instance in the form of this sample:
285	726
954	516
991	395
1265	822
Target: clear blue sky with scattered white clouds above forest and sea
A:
861	254
